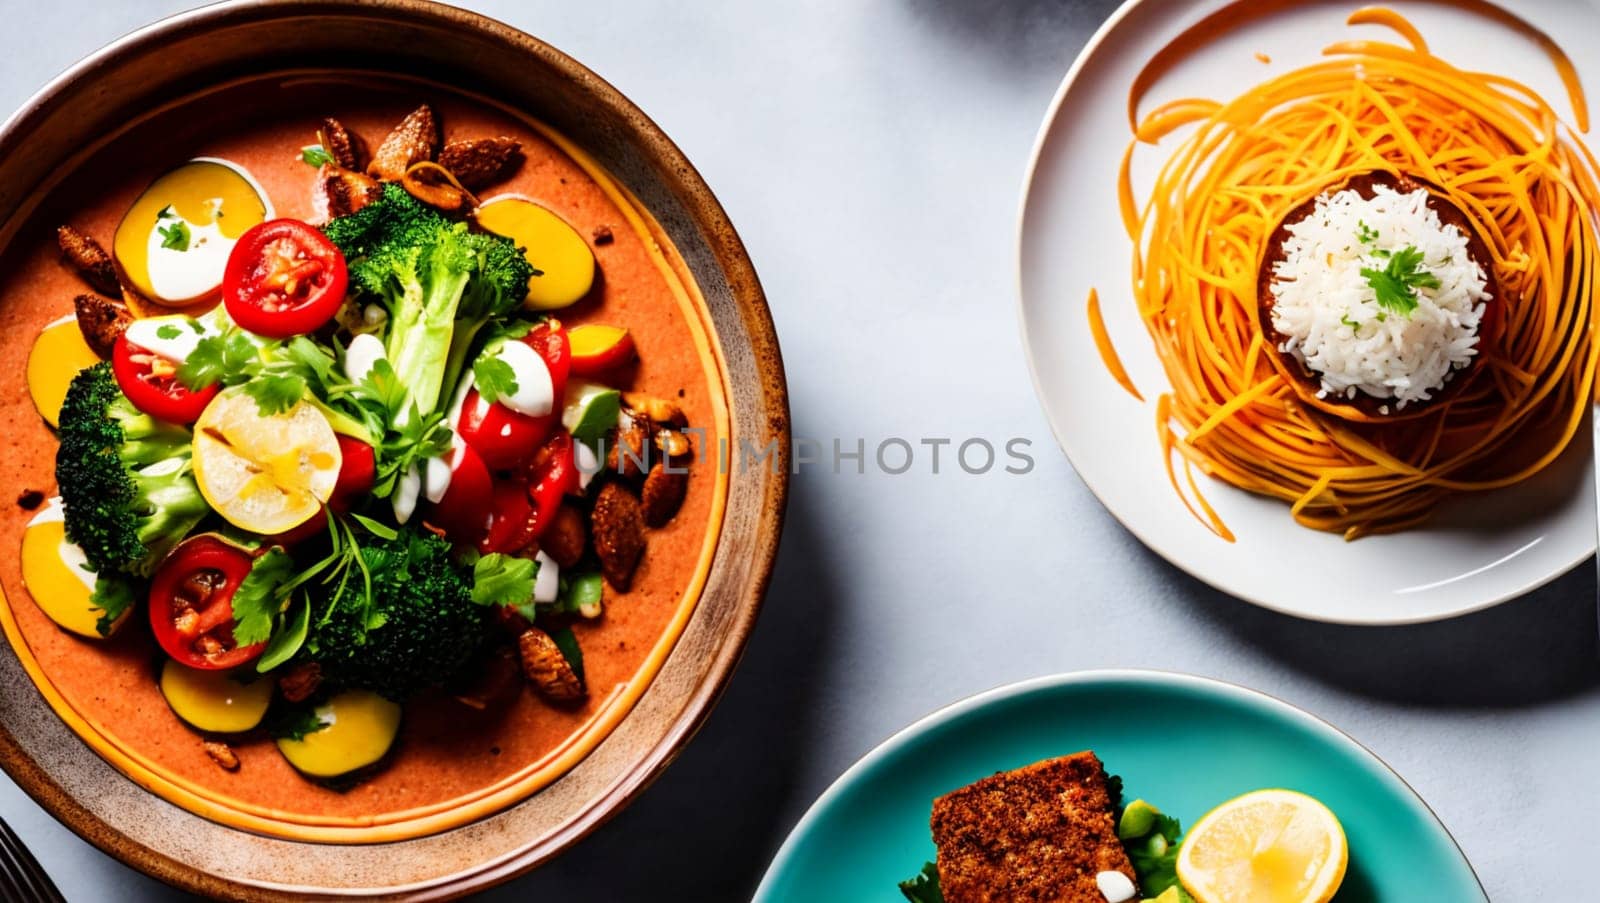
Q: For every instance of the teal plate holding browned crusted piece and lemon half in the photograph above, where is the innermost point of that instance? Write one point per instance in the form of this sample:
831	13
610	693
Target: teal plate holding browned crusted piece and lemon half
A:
1185	744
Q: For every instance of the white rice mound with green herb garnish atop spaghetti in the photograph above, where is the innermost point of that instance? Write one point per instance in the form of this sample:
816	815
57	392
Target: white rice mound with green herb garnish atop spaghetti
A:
1319	291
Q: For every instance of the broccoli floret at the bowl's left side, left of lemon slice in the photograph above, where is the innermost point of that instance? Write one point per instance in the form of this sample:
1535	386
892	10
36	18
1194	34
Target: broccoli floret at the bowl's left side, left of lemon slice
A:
126	478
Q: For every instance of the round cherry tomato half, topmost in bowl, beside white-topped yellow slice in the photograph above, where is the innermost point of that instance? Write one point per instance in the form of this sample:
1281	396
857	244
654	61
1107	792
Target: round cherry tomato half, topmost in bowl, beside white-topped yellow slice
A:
284	279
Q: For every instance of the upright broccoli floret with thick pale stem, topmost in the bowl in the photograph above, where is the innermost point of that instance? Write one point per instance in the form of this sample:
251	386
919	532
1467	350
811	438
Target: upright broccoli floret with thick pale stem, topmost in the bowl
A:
439	283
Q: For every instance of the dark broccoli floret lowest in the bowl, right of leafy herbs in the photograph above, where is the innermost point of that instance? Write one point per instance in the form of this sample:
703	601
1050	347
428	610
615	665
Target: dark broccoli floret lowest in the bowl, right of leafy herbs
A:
422	628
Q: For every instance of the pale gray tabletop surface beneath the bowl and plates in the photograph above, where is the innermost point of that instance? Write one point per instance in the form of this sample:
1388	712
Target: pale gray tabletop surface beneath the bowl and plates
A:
871	155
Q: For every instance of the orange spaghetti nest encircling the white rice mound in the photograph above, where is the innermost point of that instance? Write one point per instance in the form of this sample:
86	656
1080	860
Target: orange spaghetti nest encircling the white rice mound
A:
1497	151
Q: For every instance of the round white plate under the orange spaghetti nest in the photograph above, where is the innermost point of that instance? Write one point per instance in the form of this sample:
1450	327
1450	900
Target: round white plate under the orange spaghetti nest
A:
1479	550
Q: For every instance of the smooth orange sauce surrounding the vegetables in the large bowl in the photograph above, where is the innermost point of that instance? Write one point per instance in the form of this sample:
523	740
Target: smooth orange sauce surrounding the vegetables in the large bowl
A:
450	765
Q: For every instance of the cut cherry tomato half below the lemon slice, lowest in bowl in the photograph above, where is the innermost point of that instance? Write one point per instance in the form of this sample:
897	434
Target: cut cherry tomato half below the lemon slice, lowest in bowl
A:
193	604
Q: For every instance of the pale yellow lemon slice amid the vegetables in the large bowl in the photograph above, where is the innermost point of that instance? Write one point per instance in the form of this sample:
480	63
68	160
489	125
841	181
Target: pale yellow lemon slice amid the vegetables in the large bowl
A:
262	473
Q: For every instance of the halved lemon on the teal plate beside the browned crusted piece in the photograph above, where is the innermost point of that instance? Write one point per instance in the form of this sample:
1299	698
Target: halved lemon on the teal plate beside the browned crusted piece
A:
1271	846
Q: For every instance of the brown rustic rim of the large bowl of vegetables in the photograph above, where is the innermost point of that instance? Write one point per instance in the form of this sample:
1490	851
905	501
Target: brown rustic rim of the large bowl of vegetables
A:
750	303
